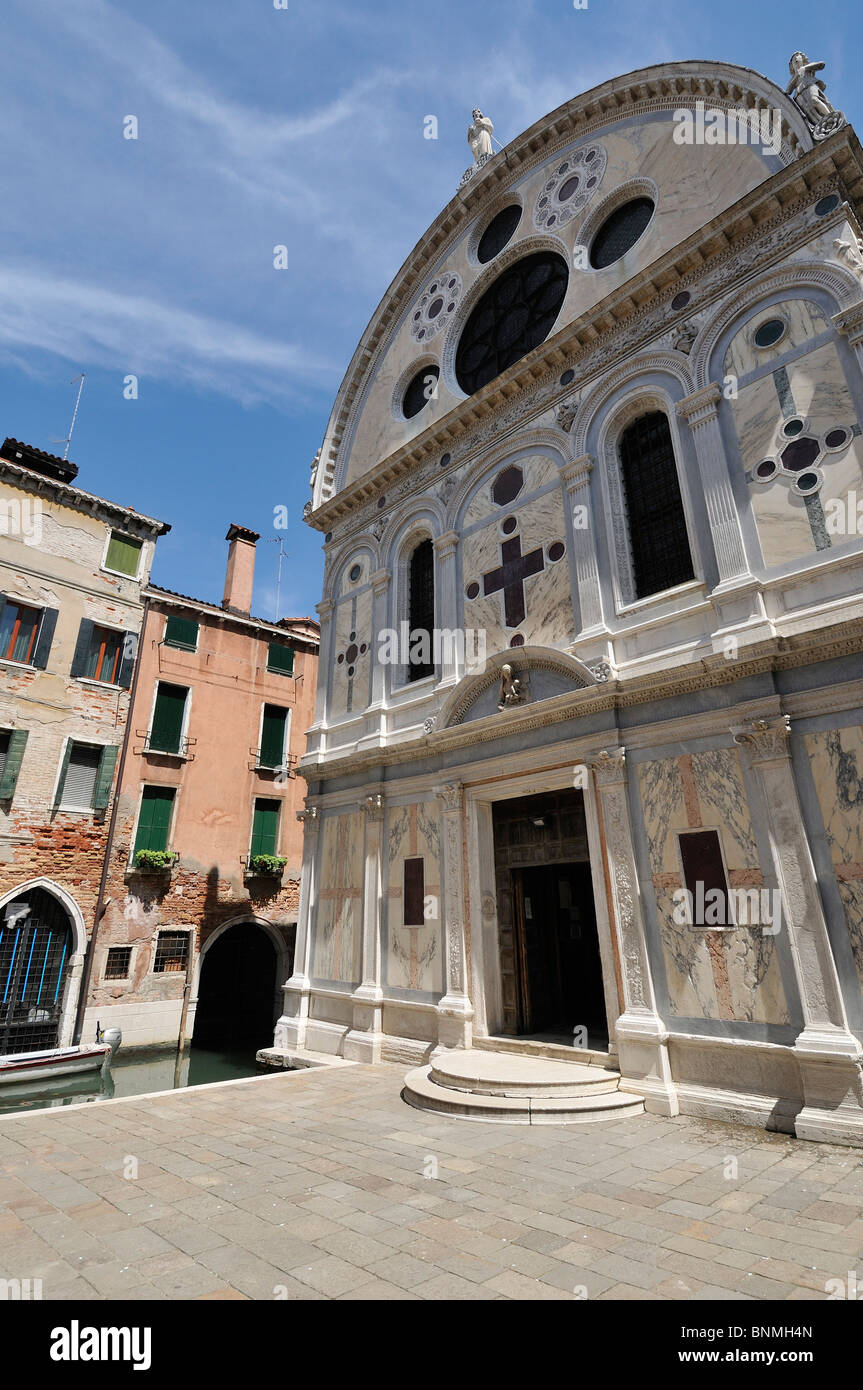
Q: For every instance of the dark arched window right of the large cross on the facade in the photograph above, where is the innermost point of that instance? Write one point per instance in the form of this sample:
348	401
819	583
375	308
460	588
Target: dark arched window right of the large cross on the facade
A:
659	543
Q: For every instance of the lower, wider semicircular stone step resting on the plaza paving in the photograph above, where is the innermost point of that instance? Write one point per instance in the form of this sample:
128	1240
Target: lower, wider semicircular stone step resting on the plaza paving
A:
425	1095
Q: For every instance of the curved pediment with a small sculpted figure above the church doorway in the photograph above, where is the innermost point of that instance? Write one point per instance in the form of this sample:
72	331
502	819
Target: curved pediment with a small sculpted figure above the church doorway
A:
536	675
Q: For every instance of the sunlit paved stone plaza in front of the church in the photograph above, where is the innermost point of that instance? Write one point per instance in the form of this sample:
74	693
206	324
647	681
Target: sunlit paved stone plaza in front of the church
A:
313	1185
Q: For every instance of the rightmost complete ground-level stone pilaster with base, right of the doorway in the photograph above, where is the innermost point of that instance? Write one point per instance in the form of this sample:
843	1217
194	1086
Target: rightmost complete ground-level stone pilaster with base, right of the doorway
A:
828	1053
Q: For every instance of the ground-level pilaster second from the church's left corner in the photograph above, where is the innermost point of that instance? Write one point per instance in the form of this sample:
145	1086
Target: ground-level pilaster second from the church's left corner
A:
365	1040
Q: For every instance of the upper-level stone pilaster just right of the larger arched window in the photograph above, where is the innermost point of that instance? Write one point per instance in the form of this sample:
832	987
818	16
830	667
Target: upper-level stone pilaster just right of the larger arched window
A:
701	414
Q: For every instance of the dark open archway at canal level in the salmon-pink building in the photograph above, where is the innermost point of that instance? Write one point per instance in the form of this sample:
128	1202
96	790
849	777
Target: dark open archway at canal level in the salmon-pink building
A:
237	990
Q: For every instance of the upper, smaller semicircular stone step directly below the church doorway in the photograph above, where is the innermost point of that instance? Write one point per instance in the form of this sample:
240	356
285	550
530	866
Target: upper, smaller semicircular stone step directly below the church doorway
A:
501	1074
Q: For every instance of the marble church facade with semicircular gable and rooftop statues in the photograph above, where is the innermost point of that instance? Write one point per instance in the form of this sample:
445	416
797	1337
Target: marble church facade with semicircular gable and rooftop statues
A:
601	445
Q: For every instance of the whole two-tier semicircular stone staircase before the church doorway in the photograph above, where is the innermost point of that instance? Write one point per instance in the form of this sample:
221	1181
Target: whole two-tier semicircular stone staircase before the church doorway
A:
509	1085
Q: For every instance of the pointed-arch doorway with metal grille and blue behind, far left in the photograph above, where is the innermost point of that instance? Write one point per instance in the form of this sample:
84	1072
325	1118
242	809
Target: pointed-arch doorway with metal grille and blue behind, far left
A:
37	947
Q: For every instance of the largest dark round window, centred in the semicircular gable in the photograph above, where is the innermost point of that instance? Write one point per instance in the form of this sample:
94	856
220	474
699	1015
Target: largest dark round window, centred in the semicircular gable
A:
513	318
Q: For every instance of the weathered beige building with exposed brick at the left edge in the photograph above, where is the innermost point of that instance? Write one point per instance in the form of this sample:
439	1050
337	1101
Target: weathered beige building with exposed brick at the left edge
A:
73	569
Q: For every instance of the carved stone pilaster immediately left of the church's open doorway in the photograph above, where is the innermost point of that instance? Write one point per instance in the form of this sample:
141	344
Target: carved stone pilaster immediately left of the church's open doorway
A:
455	1010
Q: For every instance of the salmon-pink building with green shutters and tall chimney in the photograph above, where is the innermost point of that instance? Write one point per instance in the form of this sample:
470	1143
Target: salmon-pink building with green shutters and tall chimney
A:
208	849
